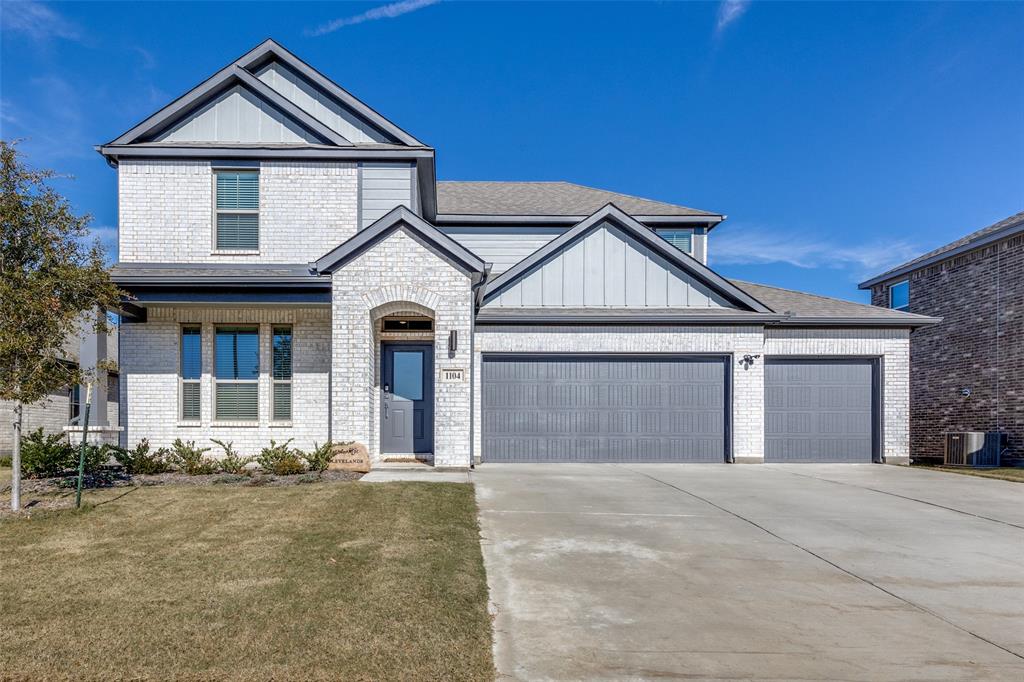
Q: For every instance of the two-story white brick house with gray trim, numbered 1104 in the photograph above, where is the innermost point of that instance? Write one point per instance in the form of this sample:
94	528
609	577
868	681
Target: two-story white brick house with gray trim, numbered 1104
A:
298	273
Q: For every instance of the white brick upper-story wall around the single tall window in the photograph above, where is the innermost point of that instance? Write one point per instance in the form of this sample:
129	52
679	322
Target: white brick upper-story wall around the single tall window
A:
166	211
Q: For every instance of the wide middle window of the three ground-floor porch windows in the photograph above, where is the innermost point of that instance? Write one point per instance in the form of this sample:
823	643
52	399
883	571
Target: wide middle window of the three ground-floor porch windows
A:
237	374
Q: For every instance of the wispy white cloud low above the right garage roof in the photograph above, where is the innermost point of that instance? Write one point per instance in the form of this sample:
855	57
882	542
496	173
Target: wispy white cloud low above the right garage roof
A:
746	245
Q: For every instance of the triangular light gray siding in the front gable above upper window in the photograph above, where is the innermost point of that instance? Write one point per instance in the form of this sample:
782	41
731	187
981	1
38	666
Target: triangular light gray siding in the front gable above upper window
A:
238	116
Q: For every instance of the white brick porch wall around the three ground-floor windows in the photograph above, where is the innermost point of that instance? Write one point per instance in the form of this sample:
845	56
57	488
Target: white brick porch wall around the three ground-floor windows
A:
150	358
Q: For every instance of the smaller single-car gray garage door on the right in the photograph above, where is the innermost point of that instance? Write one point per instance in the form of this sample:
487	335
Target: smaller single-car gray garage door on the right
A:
821	411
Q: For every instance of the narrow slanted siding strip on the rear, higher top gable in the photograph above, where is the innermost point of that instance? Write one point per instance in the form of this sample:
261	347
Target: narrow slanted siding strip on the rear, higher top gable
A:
322	106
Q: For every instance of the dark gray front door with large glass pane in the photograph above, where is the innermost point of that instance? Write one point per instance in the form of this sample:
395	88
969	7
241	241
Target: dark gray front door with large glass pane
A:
407	399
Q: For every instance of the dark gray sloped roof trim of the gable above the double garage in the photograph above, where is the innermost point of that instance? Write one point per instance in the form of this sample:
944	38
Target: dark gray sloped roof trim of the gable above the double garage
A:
646	236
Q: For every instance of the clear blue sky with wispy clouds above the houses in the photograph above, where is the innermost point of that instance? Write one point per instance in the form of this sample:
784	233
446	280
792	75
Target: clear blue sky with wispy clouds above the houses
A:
841	139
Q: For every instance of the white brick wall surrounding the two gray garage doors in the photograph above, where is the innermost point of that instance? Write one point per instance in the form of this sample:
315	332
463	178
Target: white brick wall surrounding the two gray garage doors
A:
892	347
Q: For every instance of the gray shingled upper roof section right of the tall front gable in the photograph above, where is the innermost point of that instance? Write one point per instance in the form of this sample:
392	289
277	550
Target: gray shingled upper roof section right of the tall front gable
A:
554	199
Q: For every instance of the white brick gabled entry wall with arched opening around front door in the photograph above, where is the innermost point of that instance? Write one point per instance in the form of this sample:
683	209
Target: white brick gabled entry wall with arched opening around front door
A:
400	275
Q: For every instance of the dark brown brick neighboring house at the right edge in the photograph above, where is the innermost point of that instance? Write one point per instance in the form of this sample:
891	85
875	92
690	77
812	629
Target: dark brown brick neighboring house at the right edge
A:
967	373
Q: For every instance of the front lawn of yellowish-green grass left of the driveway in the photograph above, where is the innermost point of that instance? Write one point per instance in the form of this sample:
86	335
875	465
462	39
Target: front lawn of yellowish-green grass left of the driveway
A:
319	582
